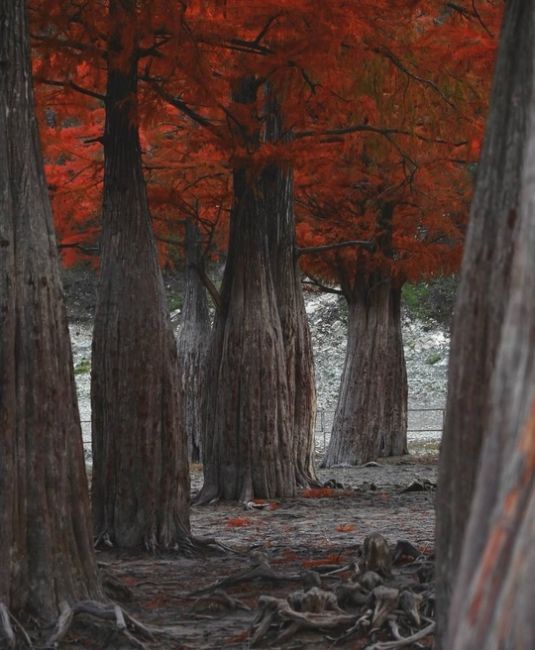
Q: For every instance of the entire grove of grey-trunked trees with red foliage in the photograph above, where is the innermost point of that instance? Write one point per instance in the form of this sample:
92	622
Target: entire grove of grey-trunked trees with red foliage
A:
333	141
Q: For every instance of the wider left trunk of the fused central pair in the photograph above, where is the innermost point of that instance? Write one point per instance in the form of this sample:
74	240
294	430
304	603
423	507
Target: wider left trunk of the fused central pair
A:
249	447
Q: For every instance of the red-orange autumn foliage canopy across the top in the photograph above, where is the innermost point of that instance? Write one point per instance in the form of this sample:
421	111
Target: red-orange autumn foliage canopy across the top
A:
383	104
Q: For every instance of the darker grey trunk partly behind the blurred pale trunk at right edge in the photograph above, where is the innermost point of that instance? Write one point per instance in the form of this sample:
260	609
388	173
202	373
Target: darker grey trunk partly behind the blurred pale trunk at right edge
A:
481	303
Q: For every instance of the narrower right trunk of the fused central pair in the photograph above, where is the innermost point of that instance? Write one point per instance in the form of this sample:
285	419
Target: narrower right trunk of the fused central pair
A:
279	191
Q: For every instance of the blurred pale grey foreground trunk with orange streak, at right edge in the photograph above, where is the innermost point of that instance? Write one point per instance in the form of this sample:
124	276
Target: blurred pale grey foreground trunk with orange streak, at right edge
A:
492	605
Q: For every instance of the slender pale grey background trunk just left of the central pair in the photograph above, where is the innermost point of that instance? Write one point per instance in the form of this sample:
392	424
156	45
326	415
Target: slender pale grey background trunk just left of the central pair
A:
193	343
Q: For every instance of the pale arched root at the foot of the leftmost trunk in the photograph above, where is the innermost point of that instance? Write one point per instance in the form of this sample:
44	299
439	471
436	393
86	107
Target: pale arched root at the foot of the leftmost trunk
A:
111	612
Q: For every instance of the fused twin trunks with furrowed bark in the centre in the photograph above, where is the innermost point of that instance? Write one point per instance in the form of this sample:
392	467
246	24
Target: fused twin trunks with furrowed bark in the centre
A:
260	382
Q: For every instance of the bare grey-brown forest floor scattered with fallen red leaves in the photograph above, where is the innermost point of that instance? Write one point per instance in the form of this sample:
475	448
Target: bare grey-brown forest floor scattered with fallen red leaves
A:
318	531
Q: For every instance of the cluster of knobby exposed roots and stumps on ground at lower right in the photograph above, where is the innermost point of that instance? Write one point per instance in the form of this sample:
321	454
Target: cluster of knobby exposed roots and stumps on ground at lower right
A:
372	602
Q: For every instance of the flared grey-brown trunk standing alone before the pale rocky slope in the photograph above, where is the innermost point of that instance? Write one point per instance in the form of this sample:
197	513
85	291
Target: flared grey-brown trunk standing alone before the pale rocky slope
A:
371	415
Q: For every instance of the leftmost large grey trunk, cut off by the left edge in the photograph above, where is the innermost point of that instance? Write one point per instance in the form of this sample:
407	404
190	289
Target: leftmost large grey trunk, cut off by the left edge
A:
45	533
